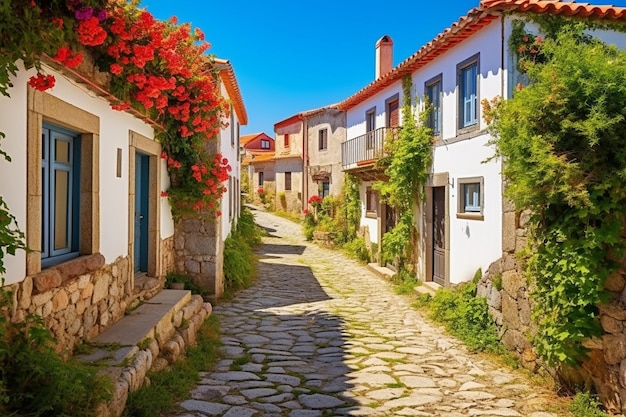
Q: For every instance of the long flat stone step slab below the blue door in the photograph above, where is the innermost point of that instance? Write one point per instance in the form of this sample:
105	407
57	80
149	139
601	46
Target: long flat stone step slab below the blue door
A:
151	320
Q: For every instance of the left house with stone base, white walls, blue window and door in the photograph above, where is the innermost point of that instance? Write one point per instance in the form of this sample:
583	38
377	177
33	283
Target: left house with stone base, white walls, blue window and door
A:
88	192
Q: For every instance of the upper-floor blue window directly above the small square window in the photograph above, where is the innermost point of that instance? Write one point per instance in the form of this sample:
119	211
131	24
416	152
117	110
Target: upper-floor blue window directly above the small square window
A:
468	91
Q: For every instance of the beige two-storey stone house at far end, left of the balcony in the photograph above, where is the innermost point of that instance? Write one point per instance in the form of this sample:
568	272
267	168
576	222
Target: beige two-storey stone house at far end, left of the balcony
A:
307	156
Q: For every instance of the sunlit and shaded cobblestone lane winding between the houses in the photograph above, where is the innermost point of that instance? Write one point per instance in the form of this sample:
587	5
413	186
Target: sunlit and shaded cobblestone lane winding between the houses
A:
319	335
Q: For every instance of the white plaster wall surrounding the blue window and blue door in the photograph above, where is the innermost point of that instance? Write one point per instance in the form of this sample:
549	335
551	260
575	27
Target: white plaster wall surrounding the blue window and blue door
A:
114	133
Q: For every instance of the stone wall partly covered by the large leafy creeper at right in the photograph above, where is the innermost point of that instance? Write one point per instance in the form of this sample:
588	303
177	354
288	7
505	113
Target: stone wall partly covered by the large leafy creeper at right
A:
507	292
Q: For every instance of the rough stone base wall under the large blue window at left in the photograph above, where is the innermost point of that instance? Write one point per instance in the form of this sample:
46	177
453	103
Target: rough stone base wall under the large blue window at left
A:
80	298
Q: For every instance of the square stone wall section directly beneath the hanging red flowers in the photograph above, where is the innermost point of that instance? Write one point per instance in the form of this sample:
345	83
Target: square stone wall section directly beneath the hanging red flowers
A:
199	253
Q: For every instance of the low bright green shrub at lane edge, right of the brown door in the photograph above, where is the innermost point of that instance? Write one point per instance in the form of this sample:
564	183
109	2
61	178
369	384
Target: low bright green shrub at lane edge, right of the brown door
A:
466	316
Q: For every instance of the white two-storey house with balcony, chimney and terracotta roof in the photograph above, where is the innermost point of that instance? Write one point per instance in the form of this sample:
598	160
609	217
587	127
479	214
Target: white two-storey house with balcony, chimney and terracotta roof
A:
462	224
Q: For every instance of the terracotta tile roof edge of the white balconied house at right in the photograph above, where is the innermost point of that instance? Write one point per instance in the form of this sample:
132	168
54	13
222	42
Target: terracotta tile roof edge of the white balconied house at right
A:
468	25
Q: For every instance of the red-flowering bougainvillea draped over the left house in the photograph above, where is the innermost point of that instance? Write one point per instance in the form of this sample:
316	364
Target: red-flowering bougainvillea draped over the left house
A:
159	68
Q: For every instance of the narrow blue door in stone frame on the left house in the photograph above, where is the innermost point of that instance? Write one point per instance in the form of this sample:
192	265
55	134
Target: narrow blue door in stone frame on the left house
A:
142	181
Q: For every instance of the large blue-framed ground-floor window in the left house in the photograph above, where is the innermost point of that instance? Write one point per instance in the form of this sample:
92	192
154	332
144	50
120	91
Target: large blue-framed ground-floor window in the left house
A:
60	222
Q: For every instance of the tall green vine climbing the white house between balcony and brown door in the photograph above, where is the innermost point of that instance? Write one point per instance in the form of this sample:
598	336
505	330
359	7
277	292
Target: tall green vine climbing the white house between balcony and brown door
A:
407	172
